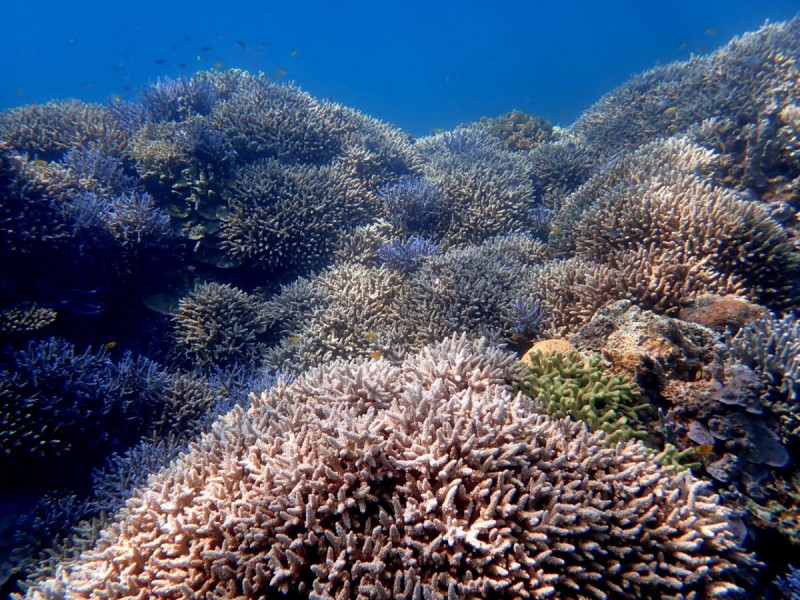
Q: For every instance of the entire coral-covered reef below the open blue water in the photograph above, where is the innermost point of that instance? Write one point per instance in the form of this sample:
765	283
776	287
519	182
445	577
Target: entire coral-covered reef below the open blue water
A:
257	344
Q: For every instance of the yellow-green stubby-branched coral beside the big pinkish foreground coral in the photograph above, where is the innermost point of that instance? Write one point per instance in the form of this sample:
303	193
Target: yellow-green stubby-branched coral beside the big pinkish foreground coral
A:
567	385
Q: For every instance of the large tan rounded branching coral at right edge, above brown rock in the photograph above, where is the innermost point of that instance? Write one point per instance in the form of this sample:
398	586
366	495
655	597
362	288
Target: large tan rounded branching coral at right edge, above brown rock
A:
672	234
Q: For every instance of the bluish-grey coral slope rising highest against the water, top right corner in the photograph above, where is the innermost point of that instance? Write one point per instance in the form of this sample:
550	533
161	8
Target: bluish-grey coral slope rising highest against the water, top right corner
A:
739	81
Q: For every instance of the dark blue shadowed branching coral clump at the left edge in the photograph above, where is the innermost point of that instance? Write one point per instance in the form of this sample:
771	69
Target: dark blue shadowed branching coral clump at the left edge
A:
61	407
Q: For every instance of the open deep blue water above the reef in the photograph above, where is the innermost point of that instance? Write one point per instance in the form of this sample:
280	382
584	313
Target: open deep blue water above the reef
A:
419	65
